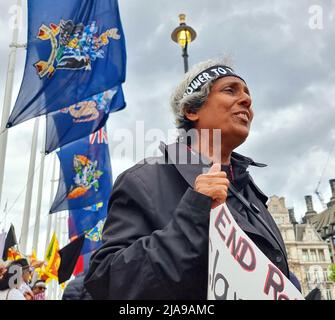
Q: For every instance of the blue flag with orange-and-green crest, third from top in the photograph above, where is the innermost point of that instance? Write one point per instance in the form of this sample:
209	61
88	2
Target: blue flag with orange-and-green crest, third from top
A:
86	176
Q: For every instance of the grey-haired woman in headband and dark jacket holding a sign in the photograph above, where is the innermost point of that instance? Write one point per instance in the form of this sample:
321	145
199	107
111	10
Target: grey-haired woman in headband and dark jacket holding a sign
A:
155	239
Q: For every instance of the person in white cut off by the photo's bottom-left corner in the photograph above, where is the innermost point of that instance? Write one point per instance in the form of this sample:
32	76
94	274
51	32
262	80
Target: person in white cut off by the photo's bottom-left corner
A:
11	282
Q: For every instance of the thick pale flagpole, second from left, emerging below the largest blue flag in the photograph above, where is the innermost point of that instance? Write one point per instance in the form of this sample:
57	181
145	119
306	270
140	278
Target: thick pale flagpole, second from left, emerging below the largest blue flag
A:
30	181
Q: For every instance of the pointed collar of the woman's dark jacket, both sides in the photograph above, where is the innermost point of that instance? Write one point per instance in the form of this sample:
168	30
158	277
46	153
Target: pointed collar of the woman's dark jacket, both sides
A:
190	163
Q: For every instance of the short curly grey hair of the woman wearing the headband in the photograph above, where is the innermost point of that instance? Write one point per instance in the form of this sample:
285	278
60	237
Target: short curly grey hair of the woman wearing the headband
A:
191	103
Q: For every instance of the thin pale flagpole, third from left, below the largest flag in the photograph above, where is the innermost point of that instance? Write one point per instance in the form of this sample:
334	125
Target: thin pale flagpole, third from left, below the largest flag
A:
39	197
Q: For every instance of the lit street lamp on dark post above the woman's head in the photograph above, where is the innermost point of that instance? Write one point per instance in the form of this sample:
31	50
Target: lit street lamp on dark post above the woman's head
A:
183	35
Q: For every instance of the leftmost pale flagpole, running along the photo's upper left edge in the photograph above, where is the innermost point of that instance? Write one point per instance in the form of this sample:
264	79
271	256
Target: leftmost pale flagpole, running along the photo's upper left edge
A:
8	97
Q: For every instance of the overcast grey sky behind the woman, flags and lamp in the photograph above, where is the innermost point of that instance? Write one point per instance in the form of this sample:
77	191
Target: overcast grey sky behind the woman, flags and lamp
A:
284	50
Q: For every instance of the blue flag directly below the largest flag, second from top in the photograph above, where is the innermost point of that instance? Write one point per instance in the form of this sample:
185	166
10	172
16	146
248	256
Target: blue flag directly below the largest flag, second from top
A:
81	119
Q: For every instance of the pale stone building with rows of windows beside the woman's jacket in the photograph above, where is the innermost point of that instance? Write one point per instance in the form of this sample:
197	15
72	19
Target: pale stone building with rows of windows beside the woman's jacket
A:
308	254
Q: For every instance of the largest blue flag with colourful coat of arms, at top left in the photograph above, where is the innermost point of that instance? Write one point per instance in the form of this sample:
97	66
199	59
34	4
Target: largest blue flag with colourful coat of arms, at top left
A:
76	49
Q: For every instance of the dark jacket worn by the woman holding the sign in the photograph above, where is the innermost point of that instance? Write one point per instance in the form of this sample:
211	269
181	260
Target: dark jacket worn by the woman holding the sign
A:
155	239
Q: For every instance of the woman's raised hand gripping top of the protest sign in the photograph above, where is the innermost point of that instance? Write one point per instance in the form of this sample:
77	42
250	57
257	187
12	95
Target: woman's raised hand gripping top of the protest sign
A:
213	184
